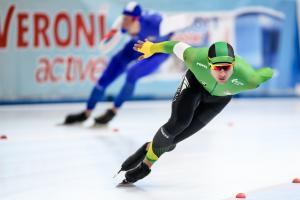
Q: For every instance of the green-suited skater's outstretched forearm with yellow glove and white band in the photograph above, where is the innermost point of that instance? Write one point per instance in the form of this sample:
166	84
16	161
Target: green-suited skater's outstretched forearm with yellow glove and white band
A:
148	48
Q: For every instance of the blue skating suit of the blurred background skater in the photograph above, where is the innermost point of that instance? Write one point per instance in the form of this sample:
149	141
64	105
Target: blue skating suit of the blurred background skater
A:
150	28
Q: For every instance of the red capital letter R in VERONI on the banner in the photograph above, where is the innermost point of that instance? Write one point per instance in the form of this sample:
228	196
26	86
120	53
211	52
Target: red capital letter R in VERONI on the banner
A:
40	30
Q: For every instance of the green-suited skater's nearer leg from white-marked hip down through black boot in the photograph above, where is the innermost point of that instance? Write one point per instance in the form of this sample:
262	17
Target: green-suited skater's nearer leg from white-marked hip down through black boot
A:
184	104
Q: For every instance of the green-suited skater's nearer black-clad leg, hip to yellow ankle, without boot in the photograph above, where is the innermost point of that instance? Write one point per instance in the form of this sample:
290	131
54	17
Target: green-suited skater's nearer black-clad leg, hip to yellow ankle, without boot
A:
185	102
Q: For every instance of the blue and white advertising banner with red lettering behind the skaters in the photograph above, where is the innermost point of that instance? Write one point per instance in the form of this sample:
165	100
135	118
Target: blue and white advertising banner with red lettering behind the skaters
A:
52	51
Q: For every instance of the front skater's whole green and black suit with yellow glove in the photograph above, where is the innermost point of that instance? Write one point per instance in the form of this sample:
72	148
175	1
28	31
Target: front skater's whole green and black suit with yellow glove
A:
199	98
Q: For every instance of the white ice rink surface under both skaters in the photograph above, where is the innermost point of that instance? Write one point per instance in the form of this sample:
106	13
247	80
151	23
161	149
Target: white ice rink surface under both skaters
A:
253	145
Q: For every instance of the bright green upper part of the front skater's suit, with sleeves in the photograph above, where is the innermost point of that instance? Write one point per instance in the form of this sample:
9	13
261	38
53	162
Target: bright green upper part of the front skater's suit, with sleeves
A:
244	77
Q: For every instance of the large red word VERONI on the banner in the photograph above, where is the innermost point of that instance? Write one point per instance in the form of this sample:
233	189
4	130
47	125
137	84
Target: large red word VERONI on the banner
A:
45	28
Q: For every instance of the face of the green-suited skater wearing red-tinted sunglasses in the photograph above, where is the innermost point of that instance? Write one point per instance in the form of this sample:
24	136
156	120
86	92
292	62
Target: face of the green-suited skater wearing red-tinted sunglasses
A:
221	71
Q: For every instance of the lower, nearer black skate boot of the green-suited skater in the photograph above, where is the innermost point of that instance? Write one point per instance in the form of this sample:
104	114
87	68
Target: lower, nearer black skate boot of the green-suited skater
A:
141	171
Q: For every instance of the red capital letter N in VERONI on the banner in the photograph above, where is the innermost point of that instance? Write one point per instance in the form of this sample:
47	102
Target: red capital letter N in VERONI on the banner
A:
81	27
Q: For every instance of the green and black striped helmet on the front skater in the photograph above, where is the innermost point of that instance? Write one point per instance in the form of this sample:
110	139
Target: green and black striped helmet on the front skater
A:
220	52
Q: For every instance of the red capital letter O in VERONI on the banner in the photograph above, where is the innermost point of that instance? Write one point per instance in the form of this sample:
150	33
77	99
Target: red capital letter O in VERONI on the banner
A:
61	41
